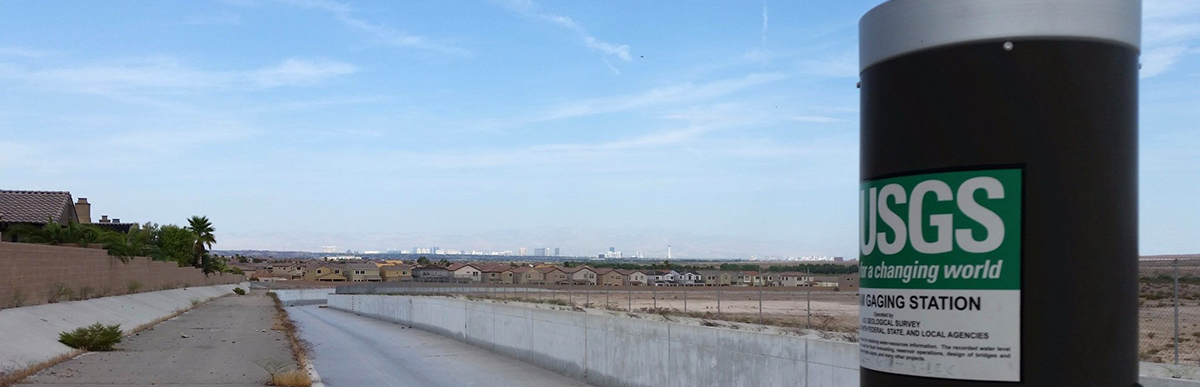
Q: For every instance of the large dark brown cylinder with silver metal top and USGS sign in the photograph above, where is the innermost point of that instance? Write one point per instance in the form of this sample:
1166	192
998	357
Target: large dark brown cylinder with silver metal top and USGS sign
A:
999	198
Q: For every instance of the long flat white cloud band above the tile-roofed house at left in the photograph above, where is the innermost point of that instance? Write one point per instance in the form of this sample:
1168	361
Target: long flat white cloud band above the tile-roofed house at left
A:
166	75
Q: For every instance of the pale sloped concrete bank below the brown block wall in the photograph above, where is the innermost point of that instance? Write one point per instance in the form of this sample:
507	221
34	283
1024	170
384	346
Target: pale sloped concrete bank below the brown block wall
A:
31	335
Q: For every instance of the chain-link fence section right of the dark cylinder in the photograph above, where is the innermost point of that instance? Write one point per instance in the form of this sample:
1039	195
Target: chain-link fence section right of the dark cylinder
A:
1169	311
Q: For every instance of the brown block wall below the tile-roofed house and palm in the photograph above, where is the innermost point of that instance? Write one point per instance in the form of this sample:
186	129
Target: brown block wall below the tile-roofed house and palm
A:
29	272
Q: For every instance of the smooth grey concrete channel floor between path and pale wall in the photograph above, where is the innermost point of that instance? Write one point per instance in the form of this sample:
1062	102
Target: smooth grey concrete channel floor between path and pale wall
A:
359	352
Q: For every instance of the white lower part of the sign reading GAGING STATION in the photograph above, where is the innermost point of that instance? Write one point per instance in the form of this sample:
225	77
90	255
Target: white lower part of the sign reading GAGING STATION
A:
968	335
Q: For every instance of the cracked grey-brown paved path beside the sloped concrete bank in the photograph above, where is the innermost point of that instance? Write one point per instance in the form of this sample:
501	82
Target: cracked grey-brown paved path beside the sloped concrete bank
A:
225	340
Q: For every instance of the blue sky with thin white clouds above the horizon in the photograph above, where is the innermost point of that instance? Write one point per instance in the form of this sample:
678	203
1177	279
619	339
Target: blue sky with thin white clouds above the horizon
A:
727	129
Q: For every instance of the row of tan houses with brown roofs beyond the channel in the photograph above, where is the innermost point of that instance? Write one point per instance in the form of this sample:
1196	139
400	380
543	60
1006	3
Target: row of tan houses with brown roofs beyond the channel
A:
541	275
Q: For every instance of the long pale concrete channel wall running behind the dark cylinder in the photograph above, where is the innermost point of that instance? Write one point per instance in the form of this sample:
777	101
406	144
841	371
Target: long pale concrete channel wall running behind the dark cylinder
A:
619	352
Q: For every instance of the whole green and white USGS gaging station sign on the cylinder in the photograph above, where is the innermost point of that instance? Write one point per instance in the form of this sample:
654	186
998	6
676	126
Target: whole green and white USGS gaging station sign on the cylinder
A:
941	275
